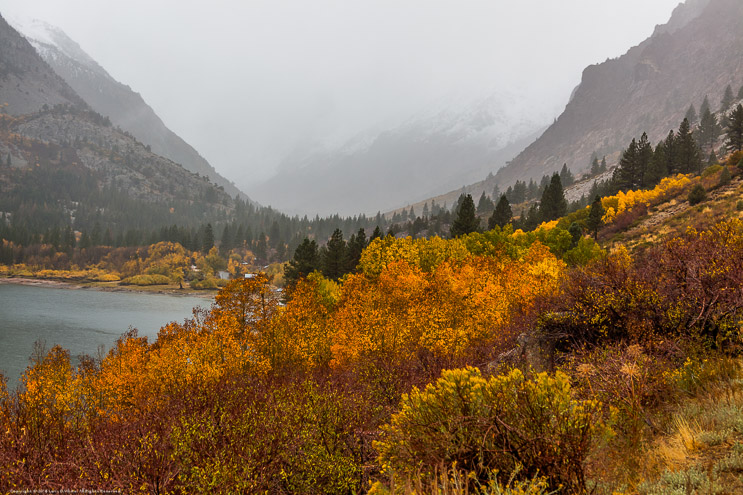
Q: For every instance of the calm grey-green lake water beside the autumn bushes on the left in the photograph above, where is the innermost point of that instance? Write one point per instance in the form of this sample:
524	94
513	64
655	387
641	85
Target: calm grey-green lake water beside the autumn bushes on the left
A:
80	320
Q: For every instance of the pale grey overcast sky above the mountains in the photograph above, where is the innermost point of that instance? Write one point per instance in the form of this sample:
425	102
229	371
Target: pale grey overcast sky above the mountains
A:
245	81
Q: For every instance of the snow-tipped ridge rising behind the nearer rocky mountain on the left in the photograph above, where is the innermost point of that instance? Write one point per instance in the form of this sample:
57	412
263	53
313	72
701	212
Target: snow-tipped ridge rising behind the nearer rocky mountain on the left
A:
113	99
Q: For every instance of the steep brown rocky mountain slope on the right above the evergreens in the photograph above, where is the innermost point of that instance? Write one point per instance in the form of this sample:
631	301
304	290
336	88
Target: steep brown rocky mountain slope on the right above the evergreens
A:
648	89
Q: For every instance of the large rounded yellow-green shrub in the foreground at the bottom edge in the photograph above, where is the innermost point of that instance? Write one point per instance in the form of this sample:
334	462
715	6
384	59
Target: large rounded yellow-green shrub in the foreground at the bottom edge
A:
507	423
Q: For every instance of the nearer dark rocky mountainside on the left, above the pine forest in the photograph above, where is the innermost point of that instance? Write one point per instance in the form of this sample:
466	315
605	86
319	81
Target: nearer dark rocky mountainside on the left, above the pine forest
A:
63	163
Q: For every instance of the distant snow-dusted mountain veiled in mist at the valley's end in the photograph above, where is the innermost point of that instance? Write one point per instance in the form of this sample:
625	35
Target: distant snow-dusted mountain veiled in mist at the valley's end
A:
429	154
